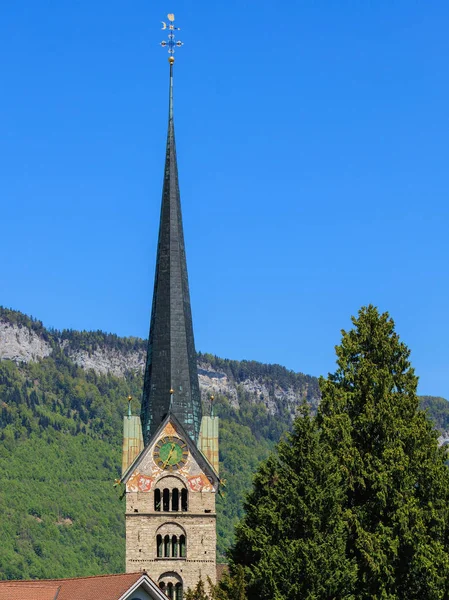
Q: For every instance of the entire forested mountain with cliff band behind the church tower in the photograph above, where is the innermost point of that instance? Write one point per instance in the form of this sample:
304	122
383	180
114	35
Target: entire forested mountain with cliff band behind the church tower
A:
62	399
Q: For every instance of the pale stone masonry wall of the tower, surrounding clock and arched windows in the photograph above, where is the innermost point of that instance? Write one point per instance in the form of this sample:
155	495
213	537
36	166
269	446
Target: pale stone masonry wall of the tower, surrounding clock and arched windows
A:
198	523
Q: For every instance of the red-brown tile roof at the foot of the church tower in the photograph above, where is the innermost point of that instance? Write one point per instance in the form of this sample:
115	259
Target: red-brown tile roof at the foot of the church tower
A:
100	587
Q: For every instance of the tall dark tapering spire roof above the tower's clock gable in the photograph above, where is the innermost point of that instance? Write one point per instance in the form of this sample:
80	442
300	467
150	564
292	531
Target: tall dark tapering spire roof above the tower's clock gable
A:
171	378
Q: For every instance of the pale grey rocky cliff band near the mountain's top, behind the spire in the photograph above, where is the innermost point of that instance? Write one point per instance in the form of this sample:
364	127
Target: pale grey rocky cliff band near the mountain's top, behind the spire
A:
21	343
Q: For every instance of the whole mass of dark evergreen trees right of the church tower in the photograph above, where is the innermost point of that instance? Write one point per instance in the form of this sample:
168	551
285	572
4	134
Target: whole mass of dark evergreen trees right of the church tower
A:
353	504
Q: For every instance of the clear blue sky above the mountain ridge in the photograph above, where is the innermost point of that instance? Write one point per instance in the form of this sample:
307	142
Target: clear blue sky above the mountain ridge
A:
313	153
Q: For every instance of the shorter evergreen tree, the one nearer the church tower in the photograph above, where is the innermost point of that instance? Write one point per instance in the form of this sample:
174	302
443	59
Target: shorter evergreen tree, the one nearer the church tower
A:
291	541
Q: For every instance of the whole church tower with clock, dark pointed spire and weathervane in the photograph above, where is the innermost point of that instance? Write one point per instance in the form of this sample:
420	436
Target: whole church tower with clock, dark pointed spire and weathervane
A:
170	464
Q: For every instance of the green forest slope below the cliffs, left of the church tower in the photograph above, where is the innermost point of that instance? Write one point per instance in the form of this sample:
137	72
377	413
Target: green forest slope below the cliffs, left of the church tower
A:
60	450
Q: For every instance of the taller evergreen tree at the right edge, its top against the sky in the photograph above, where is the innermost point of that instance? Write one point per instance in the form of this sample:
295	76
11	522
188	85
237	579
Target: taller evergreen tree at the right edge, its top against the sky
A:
395	475
